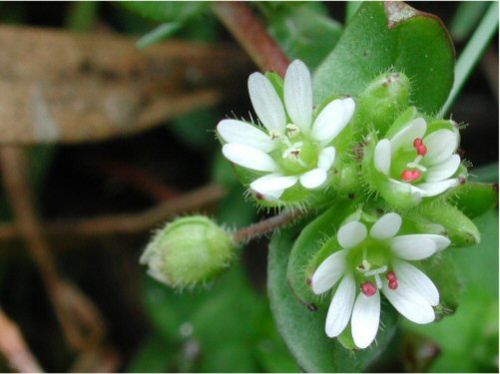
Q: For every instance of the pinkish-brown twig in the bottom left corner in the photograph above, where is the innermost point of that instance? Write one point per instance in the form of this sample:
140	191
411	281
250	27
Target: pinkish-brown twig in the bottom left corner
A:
14	348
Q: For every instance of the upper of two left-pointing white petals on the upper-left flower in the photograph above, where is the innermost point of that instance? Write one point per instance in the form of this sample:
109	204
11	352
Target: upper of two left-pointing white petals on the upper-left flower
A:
233	131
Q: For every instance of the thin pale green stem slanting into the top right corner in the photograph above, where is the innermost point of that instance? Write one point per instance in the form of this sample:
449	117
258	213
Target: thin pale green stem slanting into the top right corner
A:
471	54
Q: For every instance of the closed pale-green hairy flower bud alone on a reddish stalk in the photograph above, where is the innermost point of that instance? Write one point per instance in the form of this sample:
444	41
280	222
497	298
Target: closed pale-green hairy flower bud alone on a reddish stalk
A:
188	252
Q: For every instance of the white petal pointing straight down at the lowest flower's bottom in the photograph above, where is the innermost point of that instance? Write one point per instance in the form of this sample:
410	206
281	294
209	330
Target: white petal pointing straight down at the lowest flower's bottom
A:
365	319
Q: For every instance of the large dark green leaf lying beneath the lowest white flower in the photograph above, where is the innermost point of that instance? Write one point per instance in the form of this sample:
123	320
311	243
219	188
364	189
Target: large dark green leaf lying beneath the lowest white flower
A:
303	330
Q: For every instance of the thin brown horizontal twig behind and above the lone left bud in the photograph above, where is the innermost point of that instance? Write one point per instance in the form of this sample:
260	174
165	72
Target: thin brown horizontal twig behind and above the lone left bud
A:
126	223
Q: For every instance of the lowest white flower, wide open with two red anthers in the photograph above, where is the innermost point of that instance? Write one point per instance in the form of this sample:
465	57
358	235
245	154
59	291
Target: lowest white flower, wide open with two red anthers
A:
374	262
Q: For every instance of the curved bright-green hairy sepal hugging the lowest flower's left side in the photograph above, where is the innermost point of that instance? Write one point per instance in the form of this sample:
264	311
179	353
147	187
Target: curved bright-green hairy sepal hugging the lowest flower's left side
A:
312	246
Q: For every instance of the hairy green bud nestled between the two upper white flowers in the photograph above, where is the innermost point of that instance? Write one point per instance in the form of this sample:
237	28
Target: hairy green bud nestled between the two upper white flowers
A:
381	102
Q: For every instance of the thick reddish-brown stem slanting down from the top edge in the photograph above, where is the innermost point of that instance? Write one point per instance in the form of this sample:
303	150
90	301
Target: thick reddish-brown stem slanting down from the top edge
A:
250	32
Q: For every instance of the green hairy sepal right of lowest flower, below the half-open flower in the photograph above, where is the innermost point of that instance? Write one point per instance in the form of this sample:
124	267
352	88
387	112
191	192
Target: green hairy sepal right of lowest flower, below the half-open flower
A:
458	227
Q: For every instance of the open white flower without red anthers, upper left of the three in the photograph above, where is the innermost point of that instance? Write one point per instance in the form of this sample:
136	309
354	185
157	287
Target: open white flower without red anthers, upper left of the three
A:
293	146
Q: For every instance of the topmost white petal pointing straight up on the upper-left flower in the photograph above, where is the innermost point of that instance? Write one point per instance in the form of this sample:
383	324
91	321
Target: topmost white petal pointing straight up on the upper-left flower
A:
298	95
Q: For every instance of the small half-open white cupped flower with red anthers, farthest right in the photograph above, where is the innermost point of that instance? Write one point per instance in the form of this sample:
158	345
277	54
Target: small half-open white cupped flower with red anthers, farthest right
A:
419	163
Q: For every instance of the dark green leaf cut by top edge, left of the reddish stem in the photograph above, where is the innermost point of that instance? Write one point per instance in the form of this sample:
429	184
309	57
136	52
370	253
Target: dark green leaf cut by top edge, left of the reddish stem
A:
166	11
